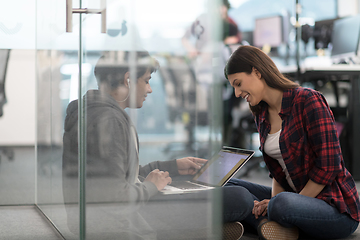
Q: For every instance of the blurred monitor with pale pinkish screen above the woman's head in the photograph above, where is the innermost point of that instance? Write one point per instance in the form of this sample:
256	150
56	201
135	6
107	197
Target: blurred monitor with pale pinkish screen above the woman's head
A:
268	31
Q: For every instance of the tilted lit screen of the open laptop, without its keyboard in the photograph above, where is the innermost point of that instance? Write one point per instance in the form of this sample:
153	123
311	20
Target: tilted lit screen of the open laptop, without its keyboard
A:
223	166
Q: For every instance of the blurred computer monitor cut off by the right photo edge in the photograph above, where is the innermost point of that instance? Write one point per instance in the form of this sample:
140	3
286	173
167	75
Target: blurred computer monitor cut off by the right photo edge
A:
345	40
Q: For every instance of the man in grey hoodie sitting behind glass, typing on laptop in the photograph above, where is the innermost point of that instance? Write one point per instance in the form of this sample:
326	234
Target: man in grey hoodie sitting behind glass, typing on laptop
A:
111	138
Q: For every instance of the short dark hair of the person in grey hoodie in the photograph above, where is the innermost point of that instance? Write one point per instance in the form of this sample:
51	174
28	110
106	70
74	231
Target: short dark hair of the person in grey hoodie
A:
112	66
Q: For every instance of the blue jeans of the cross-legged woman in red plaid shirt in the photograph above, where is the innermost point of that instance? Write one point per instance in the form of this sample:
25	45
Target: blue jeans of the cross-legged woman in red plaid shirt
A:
314	217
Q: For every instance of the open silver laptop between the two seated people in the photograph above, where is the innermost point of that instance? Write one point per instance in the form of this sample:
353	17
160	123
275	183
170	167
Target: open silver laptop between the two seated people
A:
214	173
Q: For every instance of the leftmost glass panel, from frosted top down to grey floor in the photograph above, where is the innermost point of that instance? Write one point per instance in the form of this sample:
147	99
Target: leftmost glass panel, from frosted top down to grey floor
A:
17	103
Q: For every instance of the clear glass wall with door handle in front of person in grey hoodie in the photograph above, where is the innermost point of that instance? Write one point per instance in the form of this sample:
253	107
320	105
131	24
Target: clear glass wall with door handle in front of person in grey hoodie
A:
109	102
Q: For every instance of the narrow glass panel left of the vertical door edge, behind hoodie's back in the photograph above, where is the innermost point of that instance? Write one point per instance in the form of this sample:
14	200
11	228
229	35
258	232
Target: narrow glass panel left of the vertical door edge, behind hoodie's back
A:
57	72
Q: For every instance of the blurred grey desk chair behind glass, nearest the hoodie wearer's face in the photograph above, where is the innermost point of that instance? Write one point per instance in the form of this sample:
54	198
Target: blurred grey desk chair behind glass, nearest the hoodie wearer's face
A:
181	96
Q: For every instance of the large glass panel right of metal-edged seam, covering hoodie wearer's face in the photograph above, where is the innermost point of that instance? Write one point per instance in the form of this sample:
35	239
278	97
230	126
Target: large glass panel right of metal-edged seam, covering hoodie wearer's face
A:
179	118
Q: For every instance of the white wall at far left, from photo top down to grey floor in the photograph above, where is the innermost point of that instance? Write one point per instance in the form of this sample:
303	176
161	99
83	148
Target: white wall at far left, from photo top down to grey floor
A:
17	31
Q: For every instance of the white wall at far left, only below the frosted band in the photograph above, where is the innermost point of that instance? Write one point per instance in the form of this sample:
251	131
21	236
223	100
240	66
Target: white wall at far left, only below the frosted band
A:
17	125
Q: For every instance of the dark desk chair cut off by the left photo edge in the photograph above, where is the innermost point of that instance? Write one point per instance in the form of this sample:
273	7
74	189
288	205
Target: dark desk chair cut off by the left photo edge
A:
4	59
